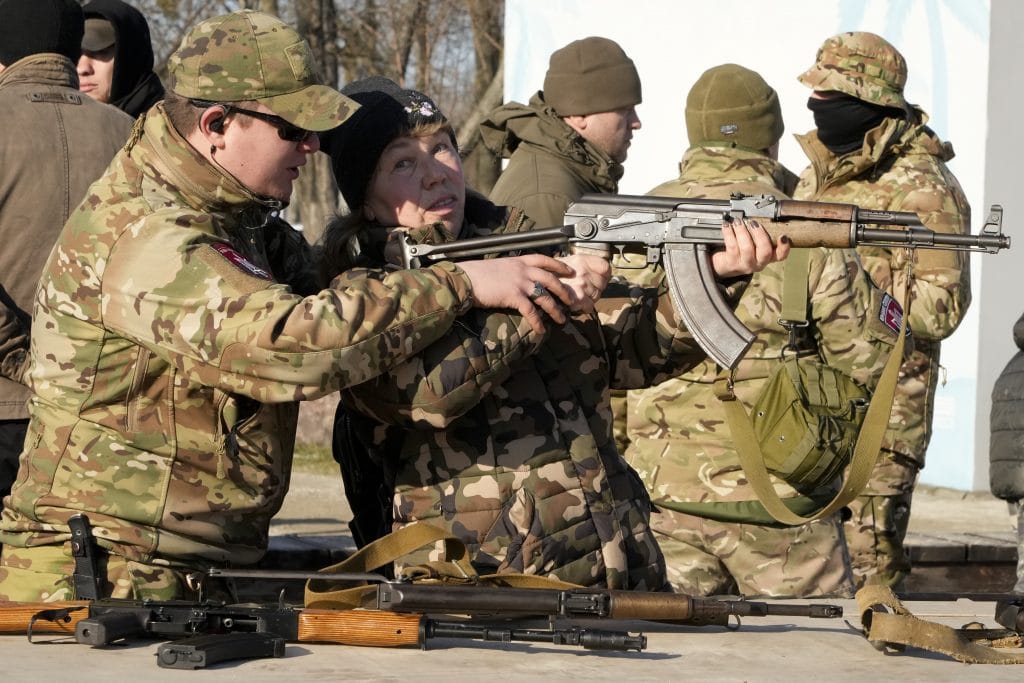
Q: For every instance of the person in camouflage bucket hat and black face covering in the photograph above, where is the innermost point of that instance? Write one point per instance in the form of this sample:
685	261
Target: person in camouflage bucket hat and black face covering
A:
875	150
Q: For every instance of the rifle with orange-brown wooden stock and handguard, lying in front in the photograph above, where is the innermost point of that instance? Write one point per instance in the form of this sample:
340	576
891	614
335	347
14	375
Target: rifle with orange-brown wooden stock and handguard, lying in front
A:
226	631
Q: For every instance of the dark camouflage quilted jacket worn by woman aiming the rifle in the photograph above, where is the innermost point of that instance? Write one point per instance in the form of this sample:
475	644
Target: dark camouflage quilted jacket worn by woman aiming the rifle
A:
503	438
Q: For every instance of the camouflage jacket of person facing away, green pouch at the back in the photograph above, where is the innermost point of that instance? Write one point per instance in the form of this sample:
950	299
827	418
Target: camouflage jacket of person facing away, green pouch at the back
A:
678	438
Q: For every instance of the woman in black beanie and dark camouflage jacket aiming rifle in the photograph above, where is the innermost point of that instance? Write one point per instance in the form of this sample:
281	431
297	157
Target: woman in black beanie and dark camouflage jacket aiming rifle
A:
497	434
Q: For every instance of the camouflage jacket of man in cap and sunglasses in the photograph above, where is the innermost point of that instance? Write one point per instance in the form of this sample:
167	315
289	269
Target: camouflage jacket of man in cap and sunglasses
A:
167	362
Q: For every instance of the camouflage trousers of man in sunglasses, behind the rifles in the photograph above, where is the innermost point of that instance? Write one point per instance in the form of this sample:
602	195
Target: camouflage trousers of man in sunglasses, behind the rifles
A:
45	574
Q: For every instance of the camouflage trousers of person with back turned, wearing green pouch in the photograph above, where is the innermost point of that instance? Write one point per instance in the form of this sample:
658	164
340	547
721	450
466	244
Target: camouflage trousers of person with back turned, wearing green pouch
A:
708	558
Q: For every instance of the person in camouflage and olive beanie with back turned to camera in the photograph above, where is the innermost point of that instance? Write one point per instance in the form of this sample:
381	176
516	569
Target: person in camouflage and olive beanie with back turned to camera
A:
716	538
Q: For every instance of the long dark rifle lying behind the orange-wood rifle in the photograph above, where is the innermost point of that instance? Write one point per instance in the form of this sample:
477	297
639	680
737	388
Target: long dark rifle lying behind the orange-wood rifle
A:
404	596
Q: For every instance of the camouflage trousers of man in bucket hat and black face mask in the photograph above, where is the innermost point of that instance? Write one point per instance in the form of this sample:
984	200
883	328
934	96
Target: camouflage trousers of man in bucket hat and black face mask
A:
877	527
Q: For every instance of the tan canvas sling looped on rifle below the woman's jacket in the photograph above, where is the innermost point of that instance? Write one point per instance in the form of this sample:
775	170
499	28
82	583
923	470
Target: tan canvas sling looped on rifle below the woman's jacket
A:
455	569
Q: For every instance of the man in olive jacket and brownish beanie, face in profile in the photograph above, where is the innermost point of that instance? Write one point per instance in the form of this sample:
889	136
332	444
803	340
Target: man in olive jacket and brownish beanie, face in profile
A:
574	136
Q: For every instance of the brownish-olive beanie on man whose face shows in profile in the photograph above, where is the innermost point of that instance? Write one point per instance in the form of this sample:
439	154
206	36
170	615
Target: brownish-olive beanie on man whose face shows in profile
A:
589	76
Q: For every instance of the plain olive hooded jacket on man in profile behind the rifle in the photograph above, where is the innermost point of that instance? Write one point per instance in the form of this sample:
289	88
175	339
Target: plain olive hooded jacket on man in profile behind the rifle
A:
550	165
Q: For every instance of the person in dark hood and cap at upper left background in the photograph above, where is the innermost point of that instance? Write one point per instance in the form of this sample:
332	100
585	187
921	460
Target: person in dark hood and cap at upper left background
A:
117	58
